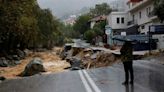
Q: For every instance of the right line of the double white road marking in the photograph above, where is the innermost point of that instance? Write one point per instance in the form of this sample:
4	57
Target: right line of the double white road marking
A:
94	86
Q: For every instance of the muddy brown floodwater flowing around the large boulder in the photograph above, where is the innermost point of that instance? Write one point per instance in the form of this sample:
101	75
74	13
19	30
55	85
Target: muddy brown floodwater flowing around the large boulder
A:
51	62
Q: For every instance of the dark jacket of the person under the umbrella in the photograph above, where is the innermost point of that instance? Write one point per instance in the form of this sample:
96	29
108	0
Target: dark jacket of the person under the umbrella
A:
127	52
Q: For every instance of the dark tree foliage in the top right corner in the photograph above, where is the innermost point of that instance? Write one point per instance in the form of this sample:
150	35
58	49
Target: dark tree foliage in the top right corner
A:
159	9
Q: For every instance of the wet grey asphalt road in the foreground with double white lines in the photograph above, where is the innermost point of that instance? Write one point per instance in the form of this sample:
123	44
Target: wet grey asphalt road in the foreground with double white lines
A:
149	77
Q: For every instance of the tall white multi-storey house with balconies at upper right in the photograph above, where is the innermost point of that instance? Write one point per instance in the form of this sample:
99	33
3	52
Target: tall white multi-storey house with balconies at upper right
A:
141	13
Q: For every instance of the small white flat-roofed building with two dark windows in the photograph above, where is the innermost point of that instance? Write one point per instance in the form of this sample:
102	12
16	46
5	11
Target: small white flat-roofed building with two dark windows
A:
117	23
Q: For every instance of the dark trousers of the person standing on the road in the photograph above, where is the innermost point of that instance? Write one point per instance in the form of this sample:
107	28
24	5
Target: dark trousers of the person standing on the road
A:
128	67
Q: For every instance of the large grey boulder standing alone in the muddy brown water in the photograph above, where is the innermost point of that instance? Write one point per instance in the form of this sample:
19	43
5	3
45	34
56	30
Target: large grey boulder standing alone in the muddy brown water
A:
34	67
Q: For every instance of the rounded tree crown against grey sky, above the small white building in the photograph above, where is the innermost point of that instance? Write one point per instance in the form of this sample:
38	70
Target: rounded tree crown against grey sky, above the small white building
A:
100	9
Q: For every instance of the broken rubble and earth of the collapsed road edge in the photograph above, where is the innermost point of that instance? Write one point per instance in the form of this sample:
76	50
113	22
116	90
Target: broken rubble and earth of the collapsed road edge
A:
90	58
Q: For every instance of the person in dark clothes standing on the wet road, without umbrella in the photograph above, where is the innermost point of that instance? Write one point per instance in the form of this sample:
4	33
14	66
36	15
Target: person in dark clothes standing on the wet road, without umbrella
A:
127	59
